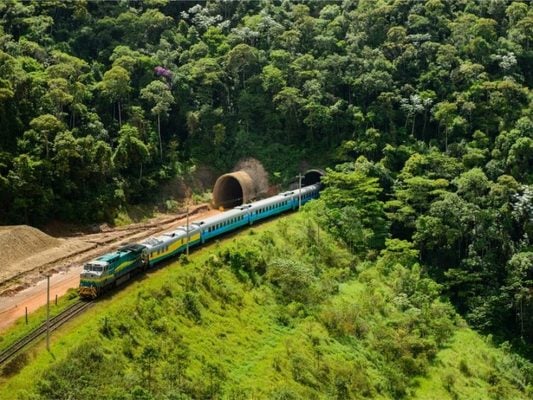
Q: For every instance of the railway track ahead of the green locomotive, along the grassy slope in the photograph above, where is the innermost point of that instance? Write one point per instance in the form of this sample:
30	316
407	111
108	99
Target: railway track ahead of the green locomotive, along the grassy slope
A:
55	322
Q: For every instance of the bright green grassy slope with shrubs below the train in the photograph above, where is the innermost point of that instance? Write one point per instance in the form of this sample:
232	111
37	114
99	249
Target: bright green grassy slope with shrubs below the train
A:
279	311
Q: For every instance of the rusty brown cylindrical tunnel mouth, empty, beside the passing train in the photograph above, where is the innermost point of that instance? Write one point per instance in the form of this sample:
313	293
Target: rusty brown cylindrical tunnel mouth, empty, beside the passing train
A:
232	190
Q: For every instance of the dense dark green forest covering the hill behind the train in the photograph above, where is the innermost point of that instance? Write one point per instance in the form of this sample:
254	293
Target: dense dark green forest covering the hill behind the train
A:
425	107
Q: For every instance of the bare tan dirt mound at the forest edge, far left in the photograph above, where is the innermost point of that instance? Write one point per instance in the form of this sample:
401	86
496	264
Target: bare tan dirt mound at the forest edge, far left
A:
22	241
